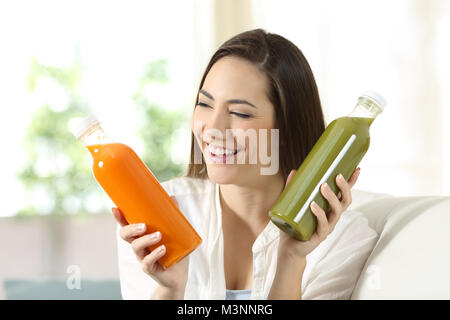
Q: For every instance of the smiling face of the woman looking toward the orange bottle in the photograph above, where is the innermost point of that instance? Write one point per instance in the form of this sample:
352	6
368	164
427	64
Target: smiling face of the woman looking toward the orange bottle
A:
232	122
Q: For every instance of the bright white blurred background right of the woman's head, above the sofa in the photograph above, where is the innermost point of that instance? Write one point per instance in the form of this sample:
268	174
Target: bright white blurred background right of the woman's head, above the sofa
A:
399	48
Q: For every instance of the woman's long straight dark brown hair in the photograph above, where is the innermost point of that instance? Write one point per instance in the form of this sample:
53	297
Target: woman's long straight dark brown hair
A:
292	90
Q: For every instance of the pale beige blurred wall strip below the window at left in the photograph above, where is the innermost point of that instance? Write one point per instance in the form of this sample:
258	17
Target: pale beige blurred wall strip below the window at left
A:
43	246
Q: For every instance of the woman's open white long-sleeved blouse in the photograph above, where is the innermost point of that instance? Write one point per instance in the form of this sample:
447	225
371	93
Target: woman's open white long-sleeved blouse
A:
332	269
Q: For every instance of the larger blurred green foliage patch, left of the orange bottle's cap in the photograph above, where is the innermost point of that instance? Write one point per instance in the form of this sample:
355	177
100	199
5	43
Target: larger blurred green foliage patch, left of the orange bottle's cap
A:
49	143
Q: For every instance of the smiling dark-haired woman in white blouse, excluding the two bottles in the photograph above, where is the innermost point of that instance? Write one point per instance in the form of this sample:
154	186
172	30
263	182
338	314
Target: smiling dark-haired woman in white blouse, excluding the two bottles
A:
257	82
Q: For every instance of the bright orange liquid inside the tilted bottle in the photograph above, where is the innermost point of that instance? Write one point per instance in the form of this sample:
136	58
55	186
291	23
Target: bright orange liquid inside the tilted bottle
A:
140	197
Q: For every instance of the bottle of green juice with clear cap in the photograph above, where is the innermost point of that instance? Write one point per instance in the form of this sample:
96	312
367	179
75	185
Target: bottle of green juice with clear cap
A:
339	150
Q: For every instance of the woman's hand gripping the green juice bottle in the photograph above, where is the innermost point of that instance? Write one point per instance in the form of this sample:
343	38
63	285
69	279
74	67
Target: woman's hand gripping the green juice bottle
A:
292	248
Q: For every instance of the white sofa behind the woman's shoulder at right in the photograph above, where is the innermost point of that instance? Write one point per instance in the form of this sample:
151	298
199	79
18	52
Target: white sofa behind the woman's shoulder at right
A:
411	259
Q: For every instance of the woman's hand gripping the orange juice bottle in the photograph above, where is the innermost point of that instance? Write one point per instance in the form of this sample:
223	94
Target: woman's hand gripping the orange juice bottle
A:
172	281
